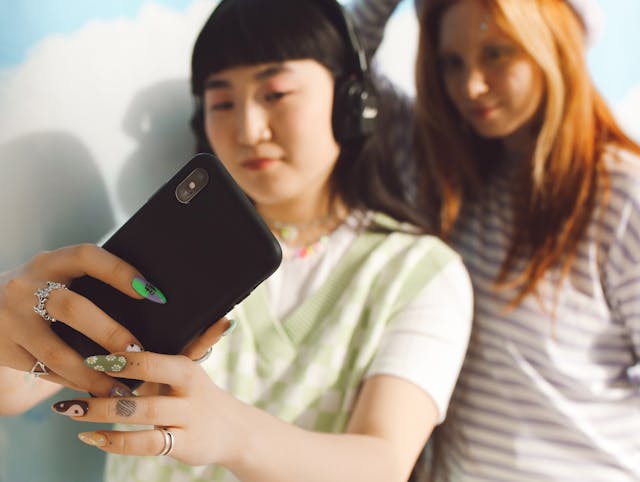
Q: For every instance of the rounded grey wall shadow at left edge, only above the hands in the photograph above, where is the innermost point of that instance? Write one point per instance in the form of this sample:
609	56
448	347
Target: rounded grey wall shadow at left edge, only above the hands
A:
51	195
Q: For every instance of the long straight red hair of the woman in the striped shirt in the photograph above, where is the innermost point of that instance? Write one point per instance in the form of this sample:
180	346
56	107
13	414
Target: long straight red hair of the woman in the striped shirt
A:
560	185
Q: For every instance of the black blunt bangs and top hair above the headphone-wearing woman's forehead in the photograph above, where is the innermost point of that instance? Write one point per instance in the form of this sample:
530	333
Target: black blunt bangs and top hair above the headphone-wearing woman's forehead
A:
248	32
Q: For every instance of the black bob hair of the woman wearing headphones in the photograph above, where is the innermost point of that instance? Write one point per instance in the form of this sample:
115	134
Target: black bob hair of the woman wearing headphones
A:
250	32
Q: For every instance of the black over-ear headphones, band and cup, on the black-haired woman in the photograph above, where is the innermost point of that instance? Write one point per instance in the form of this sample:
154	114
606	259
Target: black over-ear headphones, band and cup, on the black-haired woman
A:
355	105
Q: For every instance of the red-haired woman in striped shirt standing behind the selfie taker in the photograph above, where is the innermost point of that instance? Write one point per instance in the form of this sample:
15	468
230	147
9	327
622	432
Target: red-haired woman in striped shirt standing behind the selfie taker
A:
527	174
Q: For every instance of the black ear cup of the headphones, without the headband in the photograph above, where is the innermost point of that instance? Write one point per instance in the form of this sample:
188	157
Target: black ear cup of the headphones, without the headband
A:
355	110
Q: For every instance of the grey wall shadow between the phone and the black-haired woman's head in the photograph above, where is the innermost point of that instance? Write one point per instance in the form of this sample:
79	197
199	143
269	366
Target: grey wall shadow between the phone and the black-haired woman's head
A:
158	120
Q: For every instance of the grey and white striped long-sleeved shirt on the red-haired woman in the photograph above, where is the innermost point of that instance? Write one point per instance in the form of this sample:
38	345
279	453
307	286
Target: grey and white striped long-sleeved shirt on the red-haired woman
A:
542	397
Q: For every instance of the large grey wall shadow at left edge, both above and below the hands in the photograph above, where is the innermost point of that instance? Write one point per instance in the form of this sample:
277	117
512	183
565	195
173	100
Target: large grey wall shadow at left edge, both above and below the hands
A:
51	195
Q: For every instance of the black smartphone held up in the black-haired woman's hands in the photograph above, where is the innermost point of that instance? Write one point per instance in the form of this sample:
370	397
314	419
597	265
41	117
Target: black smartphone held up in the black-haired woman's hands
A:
201	242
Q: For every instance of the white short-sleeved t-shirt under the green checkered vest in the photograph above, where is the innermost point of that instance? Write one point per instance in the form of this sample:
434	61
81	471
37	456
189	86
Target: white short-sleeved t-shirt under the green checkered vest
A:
427	354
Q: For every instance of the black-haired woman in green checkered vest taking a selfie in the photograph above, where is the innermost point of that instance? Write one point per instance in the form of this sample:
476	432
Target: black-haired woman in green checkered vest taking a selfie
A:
326	376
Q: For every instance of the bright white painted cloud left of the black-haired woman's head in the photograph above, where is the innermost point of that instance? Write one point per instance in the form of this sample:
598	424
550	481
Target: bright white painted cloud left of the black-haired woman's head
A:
86	81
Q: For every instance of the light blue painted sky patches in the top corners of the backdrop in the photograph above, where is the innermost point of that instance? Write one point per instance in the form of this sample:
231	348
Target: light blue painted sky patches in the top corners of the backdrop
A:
23	23
